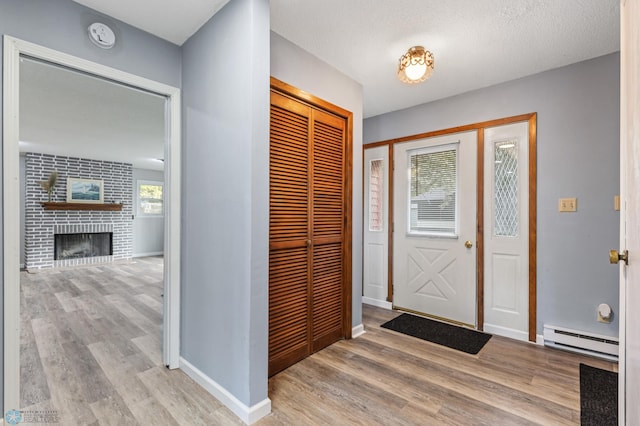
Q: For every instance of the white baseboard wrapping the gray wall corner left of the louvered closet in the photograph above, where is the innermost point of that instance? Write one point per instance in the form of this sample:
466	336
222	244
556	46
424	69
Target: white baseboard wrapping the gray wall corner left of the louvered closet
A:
249	415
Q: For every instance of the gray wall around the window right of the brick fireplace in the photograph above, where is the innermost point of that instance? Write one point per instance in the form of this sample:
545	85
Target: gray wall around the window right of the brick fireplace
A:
148	231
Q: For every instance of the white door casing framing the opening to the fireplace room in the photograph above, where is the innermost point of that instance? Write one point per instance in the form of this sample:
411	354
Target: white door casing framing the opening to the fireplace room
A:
15	53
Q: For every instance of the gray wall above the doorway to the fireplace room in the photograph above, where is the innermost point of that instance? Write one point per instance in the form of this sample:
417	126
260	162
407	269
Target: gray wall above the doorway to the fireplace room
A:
61	25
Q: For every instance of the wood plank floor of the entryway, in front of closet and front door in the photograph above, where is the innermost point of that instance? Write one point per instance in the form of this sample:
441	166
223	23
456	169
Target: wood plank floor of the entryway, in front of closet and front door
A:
386	378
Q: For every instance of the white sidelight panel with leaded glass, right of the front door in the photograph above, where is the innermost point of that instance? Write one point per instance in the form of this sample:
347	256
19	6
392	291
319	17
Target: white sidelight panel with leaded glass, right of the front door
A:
506	230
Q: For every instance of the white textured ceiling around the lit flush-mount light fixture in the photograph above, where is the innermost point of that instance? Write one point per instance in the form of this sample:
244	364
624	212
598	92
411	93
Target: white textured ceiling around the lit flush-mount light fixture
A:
476	43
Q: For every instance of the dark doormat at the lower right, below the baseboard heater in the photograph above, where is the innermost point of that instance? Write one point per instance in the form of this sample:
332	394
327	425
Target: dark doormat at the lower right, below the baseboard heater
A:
598	396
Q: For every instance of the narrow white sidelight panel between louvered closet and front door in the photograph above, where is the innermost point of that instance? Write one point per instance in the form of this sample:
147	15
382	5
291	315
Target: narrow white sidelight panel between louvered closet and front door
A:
376	226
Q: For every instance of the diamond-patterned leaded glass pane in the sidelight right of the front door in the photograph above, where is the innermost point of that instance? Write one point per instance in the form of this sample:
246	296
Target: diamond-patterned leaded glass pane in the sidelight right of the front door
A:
506	212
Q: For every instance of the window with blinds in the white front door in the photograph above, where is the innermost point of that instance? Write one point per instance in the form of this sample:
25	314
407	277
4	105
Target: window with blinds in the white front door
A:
433	183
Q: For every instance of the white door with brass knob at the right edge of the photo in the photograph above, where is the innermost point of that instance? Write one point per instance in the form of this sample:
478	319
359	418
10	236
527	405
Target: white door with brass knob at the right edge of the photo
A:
629	378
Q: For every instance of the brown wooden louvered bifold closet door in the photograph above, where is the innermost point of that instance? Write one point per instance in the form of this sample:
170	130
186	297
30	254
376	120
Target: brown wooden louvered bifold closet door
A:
307	235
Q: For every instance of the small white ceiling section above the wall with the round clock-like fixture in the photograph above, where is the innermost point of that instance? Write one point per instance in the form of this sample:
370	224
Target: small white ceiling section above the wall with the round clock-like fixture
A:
172	20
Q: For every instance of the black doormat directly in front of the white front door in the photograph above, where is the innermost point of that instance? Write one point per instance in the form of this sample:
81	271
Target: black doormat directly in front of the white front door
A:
454	337
